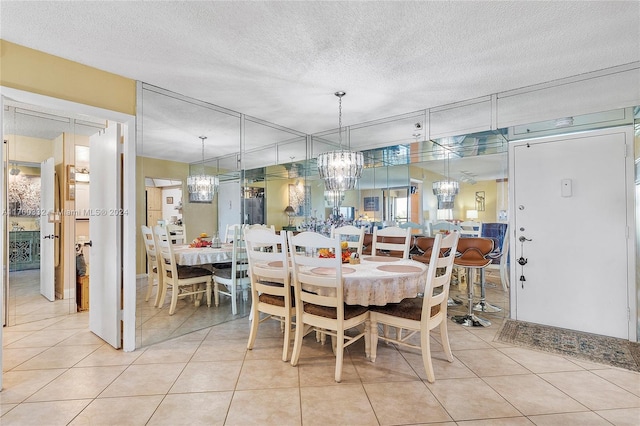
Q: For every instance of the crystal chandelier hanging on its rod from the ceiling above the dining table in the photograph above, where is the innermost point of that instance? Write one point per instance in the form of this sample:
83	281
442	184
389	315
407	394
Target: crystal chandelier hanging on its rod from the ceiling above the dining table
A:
340	169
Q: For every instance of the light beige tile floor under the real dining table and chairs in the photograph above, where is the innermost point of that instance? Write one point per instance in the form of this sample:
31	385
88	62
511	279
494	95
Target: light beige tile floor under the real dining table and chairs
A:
56	372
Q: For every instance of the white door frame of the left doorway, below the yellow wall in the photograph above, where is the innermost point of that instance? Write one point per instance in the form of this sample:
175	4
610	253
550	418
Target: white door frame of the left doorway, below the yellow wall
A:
128	312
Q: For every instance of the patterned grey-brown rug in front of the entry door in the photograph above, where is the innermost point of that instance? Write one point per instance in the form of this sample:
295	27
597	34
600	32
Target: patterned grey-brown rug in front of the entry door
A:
590	347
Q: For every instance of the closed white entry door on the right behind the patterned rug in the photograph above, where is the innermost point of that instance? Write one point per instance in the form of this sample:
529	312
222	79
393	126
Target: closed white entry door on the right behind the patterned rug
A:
570	202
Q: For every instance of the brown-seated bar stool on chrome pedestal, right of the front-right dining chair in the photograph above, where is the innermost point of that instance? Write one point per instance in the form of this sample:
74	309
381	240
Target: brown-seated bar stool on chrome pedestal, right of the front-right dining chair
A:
473	258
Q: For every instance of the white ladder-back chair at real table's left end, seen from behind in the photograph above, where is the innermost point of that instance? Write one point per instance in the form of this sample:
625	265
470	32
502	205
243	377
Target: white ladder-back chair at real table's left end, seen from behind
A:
270	283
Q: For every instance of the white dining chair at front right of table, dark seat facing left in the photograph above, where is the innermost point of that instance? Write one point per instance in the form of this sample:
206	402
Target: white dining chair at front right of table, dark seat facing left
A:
421	314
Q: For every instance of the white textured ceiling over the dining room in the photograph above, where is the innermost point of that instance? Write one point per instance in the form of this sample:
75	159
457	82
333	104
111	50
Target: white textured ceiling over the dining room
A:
282	61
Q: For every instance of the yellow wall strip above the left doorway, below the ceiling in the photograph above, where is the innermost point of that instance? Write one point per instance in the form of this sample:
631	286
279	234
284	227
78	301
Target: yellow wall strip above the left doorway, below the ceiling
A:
37	72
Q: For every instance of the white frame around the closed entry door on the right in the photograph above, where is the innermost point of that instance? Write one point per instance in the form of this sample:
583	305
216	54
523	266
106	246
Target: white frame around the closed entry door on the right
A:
630	208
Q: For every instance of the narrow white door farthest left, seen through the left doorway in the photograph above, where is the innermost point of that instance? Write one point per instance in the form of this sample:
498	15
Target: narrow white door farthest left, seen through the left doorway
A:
48	239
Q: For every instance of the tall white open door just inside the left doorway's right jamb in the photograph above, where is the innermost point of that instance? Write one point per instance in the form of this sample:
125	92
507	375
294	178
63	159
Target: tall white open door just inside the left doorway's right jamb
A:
105	224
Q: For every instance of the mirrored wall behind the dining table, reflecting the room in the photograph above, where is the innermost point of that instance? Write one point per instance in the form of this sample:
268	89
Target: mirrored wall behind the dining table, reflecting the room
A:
268	174
